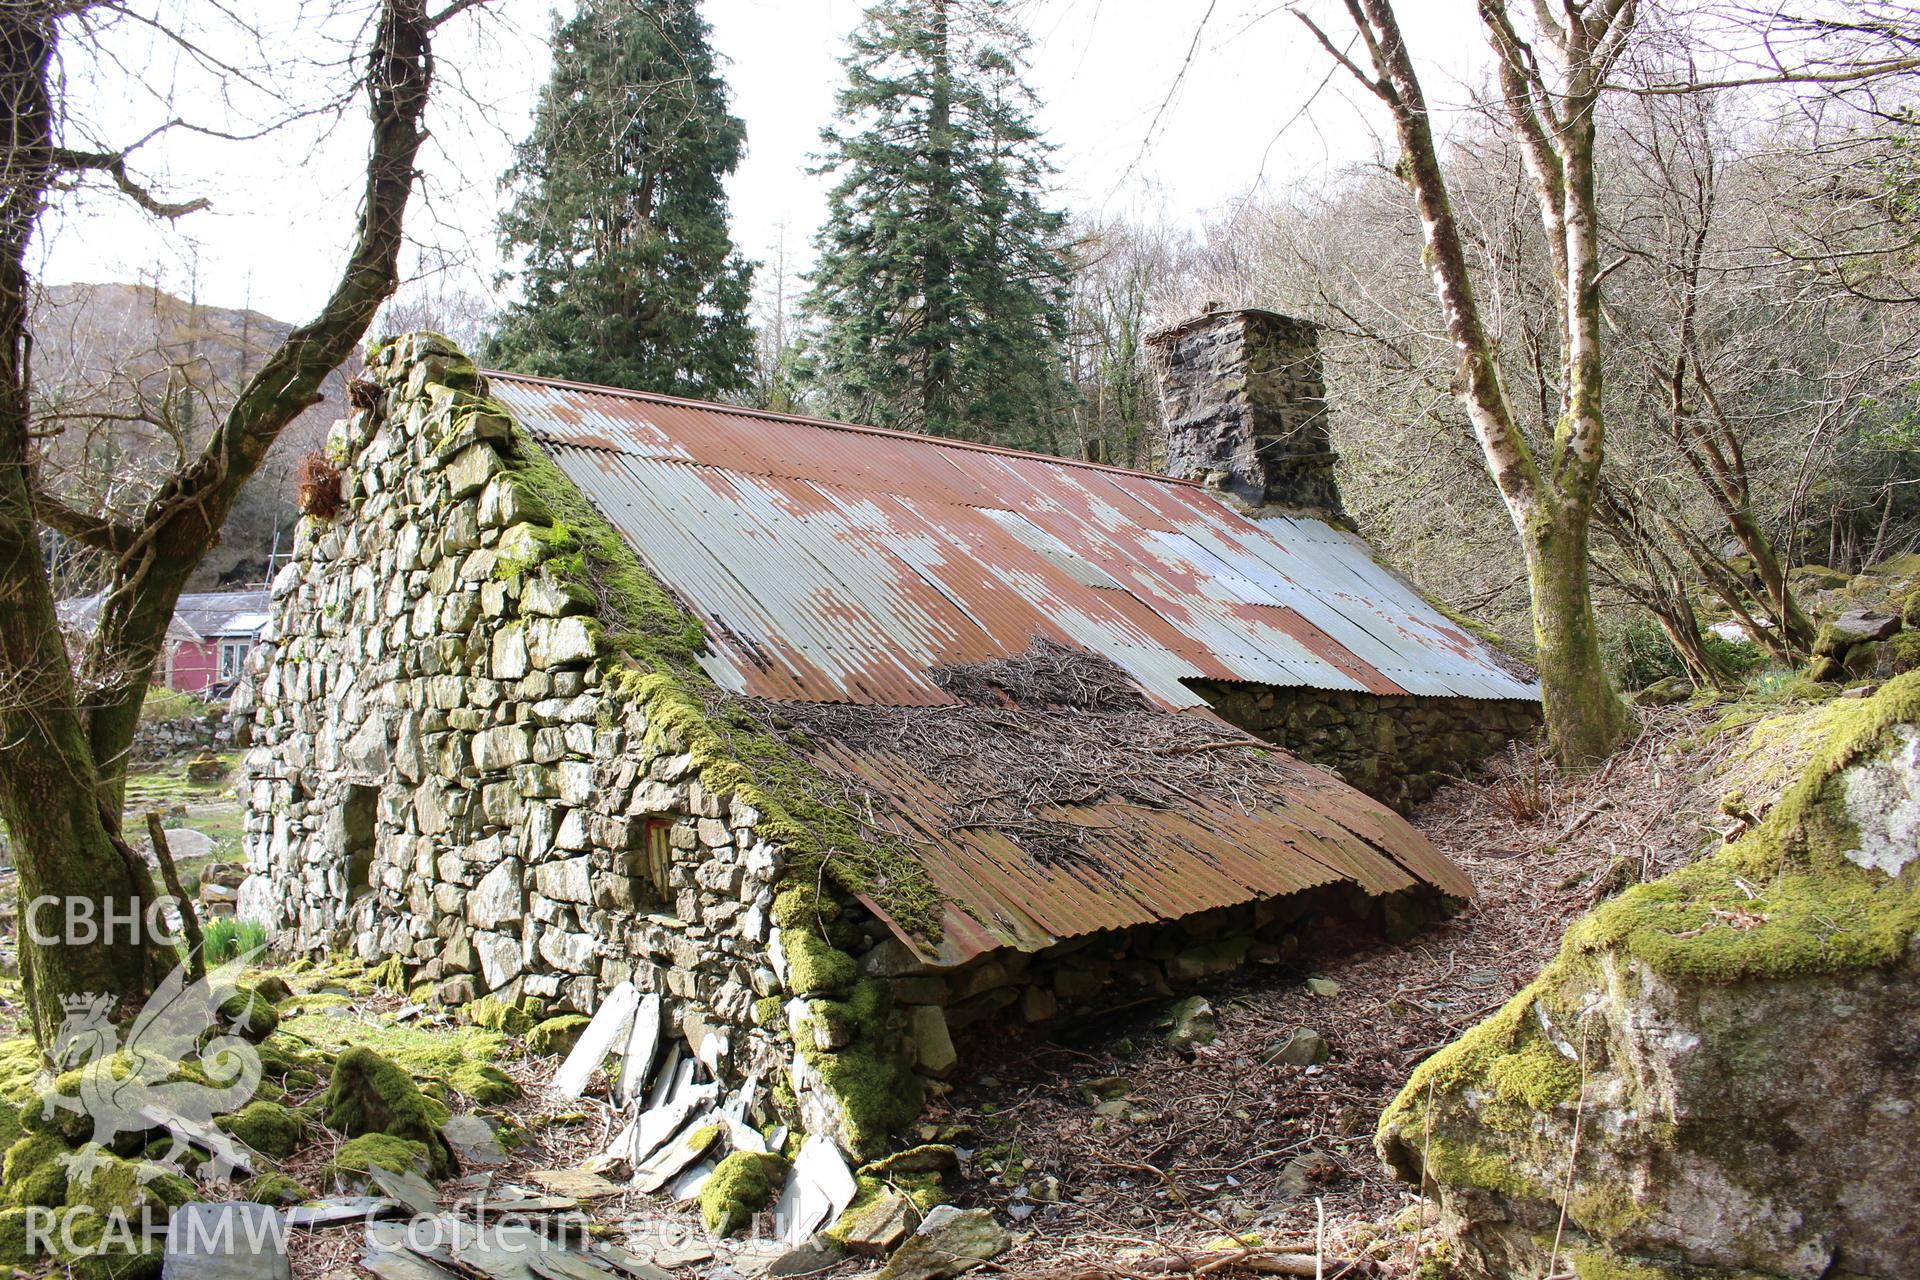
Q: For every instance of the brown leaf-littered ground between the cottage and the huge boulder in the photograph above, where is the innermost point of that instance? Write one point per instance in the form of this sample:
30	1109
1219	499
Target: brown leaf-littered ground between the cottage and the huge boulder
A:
1222	1145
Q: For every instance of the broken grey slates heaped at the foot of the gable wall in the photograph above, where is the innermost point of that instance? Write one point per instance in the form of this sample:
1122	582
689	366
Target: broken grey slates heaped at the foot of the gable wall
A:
681	1124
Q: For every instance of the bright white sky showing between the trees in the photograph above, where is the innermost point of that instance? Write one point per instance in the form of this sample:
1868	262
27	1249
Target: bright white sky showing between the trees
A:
1259	105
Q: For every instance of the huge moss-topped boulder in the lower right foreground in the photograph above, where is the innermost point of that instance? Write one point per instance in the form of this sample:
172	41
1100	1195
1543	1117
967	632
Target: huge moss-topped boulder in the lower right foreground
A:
1719	1037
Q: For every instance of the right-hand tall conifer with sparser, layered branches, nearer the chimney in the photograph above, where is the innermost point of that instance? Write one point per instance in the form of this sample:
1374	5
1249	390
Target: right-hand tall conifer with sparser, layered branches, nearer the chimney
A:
940	289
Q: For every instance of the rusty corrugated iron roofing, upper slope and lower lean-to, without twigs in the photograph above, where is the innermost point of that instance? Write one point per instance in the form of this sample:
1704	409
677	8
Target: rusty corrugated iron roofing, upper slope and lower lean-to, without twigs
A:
844	565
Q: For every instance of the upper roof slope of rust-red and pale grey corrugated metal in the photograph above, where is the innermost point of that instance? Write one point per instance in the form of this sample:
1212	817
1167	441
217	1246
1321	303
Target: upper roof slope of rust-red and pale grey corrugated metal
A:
840	563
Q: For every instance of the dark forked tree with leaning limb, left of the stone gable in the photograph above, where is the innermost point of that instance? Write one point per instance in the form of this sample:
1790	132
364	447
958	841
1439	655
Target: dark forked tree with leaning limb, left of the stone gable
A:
68	724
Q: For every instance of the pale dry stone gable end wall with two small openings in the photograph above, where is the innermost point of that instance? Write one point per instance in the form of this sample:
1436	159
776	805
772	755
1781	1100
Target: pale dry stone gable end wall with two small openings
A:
439	770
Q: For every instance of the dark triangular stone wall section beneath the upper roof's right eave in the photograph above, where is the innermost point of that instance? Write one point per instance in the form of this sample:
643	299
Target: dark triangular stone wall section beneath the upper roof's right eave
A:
1395	747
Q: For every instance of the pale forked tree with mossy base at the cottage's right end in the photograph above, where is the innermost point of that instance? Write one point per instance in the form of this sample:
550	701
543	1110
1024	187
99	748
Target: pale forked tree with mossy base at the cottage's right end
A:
1550	490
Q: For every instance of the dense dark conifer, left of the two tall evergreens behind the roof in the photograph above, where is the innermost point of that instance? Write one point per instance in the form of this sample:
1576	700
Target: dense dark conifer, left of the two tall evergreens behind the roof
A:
621	220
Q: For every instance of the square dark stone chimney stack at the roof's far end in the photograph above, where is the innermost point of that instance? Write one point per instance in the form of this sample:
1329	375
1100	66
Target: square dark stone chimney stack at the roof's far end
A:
1247	410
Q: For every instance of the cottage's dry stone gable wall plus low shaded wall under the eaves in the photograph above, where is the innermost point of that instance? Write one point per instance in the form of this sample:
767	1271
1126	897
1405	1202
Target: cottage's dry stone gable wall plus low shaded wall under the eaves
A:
452	765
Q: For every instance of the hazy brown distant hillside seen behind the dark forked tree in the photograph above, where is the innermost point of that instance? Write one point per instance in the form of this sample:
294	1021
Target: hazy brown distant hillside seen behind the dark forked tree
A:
108	352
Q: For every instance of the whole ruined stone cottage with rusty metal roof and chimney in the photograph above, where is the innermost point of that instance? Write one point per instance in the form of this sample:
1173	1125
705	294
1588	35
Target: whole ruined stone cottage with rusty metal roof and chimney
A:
840	742
